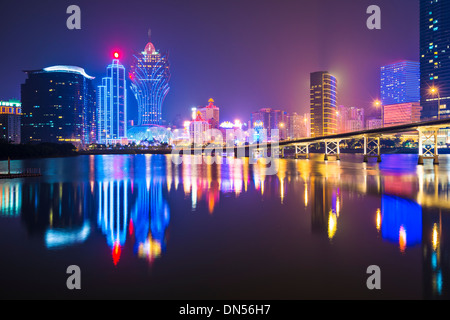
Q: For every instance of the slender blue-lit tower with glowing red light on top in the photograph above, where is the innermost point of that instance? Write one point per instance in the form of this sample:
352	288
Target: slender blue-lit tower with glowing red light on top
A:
112	104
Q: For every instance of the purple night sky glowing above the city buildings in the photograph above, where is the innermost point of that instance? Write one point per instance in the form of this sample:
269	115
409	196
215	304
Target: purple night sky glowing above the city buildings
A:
246	54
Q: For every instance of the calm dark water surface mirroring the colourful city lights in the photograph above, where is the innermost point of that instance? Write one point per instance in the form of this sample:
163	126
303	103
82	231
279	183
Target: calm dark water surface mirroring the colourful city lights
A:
141	227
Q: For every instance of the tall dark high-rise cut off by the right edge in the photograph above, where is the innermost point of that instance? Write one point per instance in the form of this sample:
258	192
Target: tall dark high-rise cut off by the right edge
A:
435	58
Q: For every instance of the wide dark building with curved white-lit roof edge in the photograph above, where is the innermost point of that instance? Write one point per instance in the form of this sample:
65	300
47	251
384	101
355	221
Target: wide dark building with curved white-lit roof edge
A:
58	105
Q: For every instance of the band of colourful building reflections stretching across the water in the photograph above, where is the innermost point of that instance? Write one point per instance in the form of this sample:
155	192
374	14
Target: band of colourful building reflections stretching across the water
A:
132	207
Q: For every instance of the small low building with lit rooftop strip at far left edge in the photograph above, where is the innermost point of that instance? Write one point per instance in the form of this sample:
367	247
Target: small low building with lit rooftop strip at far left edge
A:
10	114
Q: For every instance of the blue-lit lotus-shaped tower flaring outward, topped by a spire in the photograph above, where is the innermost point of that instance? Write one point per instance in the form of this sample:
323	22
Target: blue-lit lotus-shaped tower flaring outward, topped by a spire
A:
150	76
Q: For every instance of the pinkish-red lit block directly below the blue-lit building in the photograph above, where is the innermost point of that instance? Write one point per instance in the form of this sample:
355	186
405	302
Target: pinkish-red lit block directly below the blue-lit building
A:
402	113
